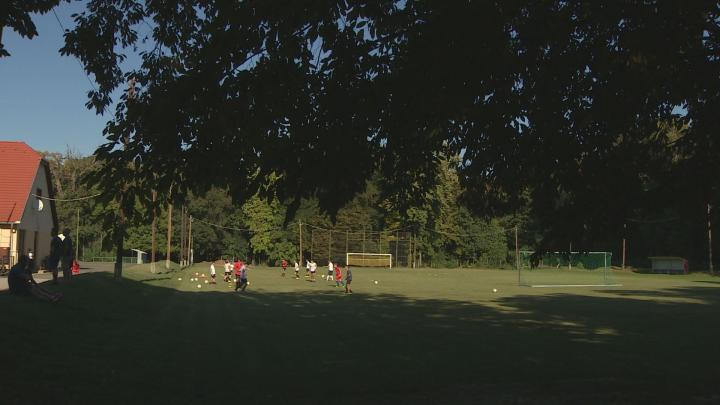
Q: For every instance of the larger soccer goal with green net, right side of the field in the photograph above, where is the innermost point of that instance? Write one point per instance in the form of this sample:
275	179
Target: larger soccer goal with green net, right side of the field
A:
563	269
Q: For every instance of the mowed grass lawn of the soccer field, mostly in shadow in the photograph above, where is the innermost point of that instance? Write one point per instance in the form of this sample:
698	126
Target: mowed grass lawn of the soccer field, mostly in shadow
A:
418	336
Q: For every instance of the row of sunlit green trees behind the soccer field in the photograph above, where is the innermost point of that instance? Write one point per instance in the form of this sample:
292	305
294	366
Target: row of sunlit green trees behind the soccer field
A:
445	231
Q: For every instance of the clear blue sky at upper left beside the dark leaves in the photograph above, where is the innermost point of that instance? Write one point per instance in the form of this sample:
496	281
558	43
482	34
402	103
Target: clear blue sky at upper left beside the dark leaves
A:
43	94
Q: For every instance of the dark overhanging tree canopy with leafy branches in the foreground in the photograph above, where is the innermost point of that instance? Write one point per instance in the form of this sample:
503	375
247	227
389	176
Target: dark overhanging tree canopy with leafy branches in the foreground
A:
559	101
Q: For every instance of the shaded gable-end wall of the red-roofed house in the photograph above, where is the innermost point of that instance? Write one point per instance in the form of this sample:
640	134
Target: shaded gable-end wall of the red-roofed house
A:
35	228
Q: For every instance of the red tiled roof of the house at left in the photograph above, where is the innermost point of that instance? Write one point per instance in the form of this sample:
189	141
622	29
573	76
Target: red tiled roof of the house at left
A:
18	166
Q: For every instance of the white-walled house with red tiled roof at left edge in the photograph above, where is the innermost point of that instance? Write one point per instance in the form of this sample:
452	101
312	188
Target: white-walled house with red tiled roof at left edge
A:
26	221
